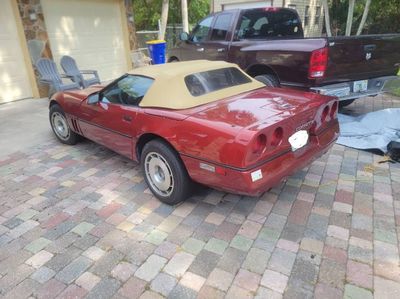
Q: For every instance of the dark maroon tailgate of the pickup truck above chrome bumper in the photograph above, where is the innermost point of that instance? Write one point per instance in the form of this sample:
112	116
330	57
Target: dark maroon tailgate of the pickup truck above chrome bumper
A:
362	57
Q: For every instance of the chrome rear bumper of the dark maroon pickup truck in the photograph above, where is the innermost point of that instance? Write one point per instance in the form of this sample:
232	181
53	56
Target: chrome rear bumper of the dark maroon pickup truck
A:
345	91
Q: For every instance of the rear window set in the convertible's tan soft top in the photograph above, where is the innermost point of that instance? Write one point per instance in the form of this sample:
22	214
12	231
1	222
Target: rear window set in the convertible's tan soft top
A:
205	82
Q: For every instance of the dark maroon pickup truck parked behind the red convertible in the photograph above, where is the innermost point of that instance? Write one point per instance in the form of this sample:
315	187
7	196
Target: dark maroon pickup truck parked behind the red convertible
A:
269	44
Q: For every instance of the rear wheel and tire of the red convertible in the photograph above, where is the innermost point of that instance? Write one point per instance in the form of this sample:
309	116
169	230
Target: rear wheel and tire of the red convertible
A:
165	173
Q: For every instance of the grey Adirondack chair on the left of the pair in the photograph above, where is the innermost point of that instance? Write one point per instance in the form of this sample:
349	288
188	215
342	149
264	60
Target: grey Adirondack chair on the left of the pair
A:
49	75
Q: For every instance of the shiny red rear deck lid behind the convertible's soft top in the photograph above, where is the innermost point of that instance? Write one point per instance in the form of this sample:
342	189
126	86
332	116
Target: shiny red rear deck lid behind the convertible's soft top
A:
264	105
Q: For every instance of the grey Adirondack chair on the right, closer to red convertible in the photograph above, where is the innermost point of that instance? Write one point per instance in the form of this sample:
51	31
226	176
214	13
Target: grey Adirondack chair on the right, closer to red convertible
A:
70	68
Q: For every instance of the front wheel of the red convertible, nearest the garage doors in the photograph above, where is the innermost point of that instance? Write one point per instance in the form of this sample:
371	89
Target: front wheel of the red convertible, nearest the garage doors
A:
60	126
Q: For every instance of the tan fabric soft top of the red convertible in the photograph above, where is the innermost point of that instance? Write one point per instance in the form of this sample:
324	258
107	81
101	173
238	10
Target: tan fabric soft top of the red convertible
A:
169	89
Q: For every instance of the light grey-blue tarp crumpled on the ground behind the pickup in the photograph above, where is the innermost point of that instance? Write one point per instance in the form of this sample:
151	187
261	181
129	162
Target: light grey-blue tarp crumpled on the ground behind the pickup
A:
373	130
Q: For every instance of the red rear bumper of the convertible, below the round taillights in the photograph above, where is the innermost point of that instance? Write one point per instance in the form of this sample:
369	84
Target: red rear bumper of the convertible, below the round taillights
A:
273	171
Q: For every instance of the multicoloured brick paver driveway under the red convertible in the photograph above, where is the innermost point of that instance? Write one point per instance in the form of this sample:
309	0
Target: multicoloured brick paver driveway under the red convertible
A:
80	222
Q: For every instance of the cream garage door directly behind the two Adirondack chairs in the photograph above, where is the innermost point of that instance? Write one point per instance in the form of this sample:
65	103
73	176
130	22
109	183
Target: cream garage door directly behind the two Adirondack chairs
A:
90	31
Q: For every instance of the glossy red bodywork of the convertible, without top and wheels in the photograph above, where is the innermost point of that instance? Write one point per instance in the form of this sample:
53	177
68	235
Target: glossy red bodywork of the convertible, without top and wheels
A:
219	134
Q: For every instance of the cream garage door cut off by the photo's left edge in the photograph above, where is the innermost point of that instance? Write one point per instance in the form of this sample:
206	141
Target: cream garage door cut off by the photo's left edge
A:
14	80
